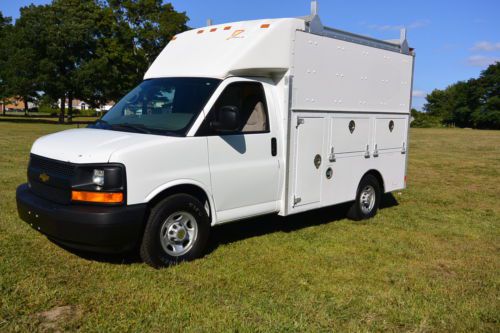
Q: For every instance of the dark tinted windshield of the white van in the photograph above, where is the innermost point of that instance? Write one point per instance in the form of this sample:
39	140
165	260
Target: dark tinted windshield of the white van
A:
160	106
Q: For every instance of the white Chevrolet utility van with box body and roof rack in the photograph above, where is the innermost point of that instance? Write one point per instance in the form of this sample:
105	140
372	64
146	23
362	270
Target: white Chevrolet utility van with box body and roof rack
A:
231	121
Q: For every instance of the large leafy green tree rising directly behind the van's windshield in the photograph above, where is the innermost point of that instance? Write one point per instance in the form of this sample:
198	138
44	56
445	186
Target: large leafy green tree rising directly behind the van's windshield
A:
98	51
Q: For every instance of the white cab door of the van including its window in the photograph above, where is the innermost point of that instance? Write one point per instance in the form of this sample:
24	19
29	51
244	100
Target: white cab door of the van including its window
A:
244	165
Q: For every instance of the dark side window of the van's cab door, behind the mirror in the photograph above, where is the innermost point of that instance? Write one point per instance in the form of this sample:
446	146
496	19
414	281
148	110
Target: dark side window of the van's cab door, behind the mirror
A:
250	99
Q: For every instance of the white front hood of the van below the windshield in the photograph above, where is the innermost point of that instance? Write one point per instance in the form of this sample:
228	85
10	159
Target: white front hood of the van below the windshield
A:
87	145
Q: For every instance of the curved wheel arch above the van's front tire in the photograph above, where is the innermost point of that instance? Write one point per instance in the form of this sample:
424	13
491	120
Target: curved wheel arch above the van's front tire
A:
193	188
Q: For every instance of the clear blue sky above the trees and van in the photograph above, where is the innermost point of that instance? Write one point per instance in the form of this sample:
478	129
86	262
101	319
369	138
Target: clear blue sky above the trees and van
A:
454	40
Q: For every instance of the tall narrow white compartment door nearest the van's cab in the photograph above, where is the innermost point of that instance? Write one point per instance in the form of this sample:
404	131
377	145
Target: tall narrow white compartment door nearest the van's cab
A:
308	160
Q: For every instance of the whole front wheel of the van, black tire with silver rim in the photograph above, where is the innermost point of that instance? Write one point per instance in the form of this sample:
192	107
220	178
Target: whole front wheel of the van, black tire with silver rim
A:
177	230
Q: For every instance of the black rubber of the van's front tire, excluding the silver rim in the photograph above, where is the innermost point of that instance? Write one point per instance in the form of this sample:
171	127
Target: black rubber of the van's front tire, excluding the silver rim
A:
152	248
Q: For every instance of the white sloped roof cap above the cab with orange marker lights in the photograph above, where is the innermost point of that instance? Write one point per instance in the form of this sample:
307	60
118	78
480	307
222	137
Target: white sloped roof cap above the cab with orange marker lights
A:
242	48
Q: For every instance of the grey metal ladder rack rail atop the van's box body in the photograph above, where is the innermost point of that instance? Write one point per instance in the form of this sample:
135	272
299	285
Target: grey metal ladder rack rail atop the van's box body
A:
314	26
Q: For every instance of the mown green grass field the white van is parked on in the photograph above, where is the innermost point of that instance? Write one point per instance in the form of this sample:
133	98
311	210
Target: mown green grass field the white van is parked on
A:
428	262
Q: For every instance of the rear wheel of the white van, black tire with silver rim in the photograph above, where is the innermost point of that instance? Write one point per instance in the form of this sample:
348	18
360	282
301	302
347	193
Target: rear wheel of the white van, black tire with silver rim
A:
367	200
